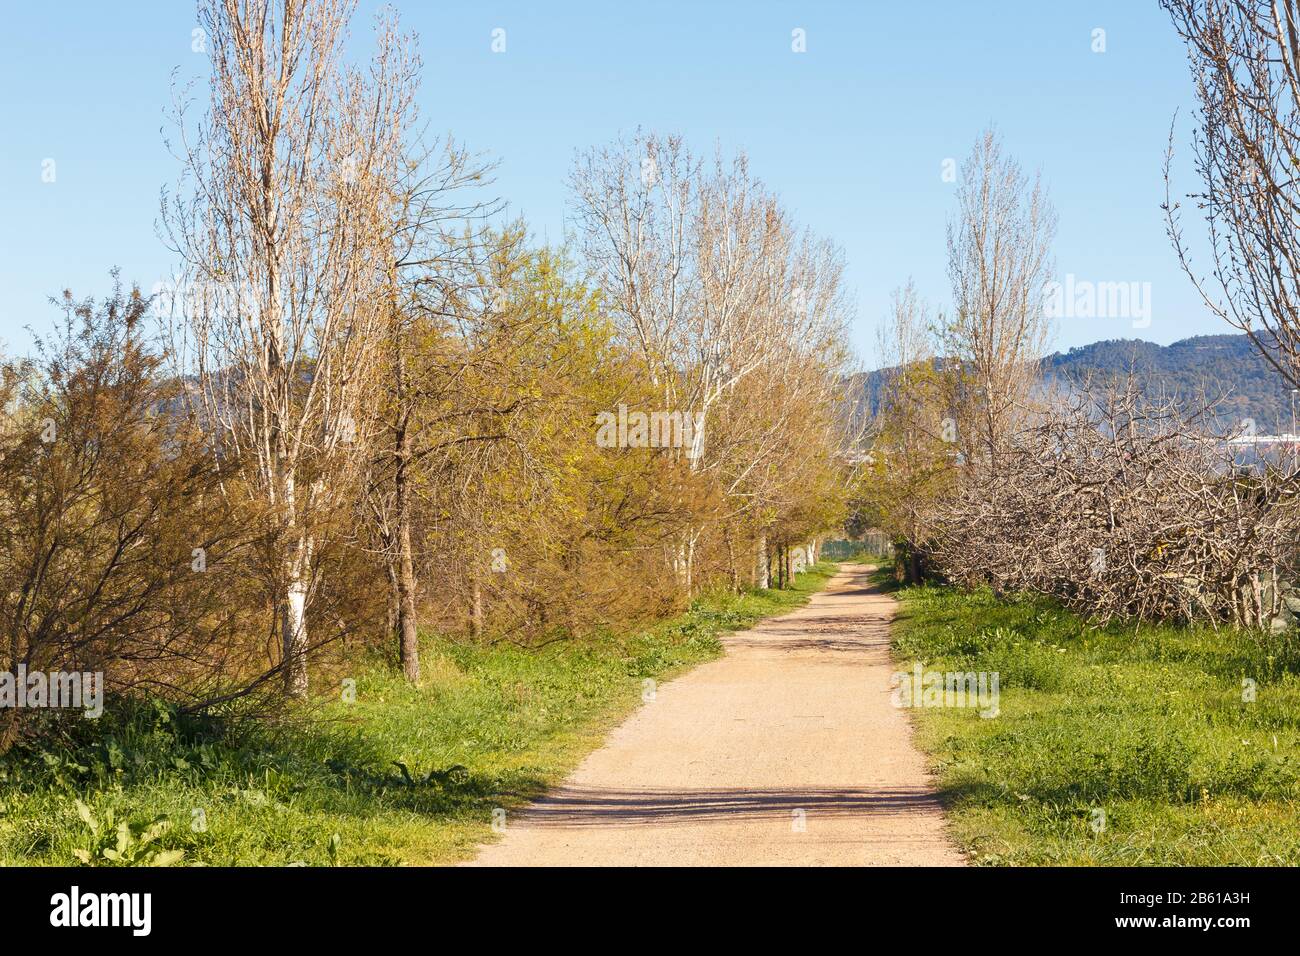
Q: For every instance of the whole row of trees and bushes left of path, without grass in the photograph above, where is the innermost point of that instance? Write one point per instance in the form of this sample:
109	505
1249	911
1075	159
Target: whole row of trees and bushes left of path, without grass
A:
372	408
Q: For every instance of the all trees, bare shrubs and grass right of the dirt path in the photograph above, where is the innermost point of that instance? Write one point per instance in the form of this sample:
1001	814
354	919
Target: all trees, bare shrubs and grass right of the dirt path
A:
1124	563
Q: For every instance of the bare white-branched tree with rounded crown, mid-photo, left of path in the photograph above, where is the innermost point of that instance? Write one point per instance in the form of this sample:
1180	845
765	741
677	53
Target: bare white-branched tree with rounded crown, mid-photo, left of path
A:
713	288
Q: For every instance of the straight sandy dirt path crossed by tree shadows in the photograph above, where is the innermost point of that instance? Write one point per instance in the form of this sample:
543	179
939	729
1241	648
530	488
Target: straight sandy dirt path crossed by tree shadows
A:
787	751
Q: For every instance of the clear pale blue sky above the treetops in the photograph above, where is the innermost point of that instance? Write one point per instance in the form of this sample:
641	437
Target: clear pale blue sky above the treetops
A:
852	135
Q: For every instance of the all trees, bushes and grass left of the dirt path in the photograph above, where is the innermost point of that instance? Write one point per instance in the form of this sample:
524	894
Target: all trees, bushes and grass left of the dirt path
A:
371	440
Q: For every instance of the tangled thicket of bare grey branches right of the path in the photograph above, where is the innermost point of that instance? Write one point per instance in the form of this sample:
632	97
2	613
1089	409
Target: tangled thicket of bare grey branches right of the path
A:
1126	509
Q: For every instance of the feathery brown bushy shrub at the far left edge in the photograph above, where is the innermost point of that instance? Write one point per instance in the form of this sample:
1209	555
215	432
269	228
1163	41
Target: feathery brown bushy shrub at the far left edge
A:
119	553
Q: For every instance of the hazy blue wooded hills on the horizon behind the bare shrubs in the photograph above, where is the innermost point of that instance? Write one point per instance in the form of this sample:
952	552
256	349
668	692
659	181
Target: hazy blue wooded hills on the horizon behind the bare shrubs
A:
1193	371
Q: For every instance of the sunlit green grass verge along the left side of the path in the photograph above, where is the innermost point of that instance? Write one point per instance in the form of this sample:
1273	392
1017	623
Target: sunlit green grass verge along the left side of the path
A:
492	726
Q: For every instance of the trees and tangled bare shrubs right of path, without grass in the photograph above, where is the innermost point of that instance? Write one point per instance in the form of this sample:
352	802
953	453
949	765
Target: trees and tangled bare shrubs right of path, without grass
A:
1113	503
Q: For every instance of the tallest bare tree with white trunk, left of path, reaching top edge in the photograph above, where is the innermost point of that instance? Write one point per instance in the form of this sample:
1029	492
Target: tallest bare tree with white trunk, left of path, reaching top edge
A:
284	231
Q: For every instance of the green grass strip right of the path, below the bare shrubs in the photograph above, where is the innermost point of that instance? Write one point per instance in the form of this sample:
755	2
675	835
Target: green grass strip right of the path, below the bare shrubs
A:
1145	725
